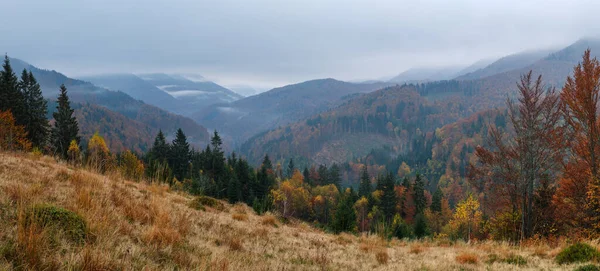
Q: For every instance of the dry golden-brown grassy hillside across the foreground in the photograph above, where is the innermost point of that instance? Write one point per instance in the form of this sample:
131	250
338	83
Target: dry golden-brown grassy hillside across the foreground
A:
143	226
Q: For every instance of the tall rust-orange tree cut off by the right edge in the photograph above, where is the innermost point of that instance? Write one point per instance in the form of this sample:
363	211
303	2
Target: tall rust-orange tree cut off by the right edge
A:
581	95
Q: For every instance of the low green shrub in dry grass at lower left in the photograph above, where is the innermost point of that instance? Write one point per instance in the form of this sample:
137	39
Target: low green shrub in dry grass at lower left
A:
59	219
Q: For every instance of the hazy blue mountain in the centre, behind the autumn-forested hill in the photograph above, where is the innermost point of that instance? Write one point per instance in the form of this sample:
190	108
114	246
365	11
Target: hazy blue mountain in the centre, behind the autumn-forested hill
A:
246	117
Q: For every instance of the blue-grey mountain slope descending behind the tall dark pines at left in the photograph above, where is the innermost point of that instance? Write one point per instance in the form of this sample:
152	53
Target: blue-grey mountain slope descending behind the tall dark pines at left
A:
115	101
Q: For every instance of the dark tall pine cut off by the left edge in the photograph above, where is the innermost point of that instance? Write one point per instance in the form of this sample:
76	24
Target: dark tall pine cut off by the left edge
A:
11	98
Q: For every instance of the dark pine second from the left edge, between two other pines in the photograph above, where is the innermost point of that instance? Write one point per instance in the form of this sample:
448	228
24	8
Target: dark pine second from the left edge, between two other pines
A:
36	108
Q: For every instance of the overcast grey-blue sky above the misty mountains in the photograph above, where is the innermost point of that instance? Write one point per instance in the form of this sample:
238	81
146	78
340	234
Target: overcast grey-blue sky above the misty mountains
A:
270	43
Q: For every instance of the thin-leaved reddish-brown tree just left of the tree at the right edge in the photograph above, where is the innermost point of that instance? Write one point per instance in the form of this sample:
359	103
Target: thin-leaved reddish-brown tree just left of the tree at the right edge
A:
515	168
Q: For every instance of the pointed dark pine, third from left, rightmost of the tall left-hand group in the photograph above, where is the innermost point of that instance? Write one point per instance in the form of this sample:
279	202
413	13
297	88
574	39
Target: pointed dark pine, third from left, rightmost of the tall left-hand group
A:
65	125
